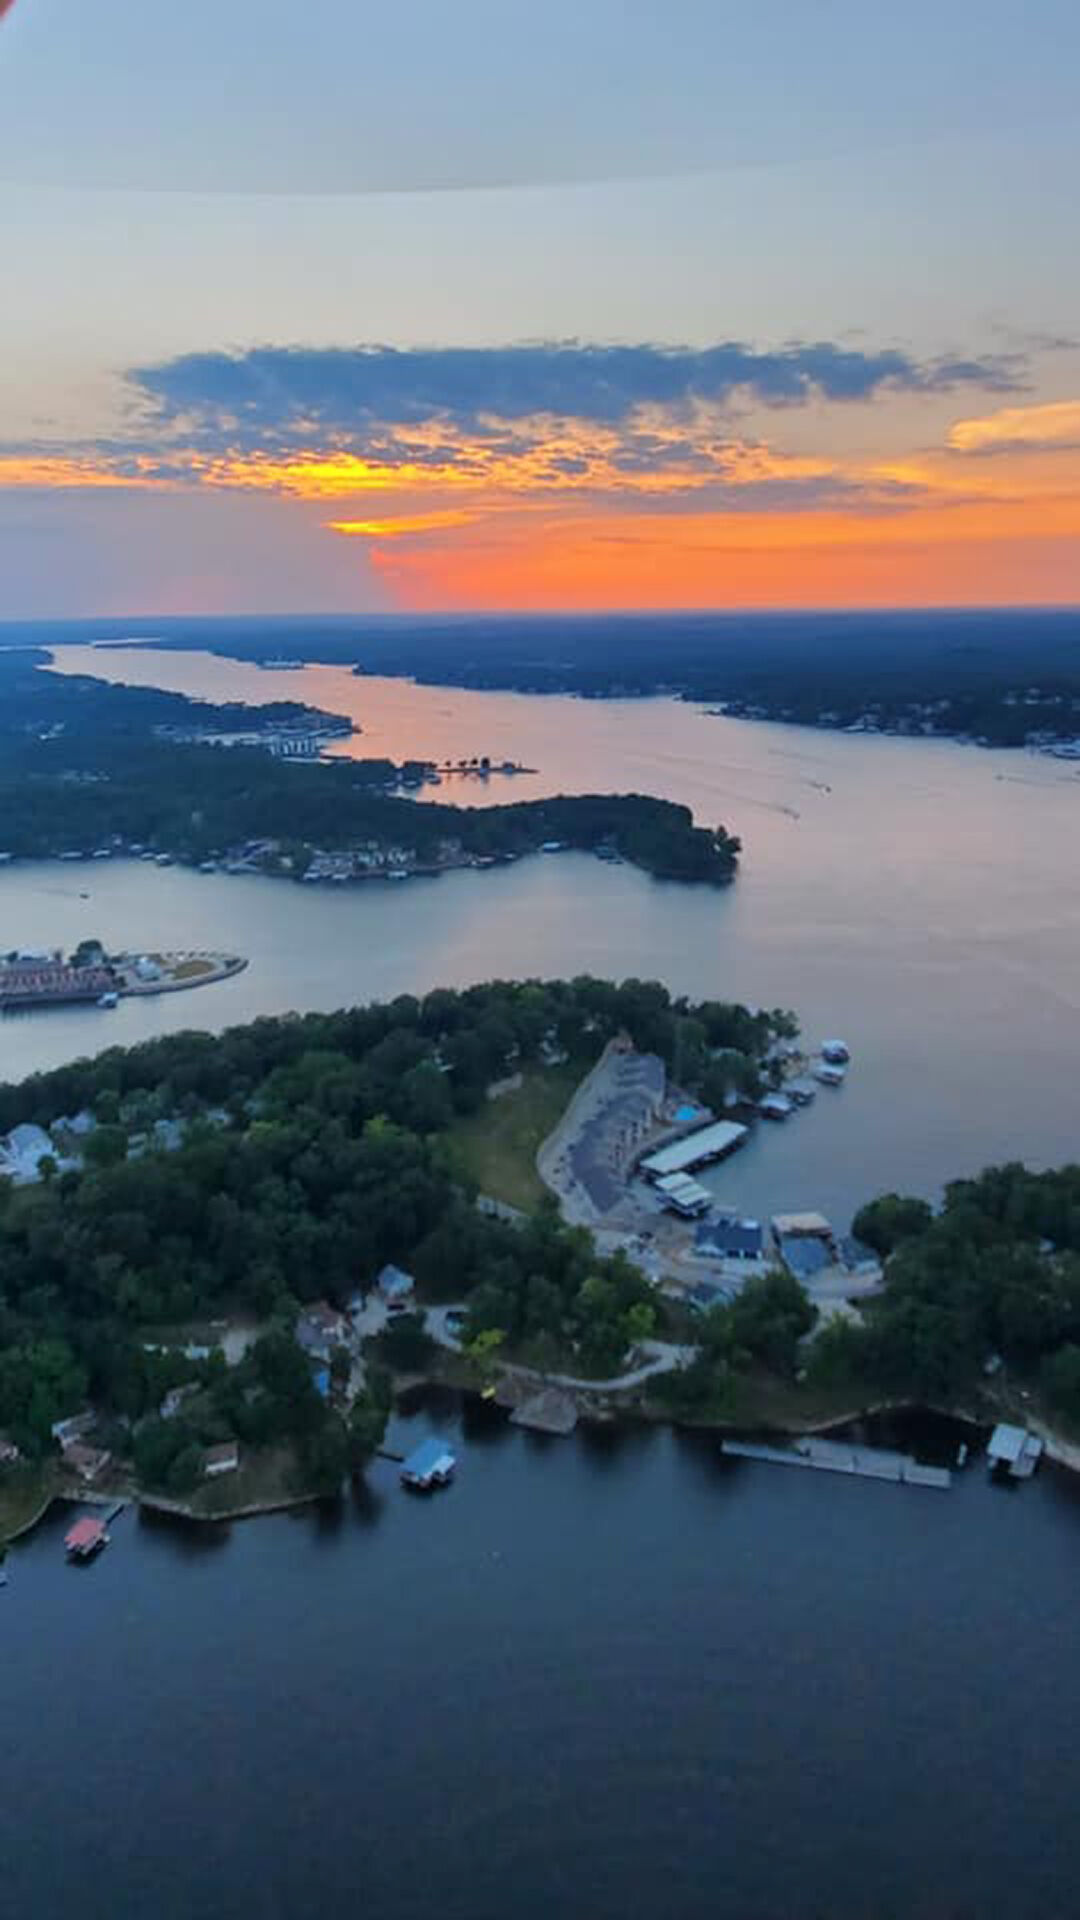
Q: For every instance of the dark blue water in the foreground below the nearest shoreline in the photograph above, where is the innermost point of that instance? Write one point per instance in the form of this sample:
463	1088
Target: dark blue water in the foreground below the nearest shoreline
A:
593	1679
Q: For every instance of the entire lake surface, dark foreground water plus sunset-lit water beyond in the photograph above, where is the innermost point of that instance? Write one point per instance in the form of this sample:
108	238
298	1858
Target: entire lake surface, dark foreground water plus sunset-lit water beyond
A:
599	1677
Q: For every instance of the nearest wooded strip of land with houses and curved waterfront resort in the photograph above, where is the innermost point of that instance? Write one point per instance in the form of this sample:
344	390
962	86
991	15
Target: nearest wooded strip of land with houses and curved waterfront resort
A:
224	1255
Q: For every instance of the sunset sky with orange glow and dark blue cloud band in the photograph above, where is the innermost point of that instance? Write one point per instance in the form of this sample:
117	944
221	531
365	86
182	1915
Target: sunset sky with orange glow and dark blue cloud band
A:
510	306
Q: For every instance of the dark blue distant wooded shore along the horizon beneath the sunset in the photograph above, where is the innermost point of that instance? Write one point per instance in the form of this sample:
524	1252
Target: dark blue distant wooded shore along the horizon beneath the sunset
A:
964	665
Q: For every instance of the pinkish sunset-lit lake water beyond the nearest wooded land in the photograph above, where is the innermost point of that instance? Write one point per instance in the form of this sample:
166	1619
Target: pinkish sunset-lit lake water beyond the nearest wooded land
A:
918	898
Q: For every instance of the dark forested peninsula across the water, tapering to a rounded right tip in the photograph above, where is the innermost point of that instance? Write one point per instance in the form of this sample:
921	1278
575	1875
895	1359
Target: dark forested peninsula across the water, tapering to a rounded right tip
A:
86	767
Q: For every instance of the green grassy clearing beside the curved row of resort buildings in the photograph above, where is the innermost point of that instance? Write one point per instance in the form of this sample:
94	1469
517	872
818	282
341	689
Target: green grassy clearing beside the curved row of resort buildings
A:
497	1147
